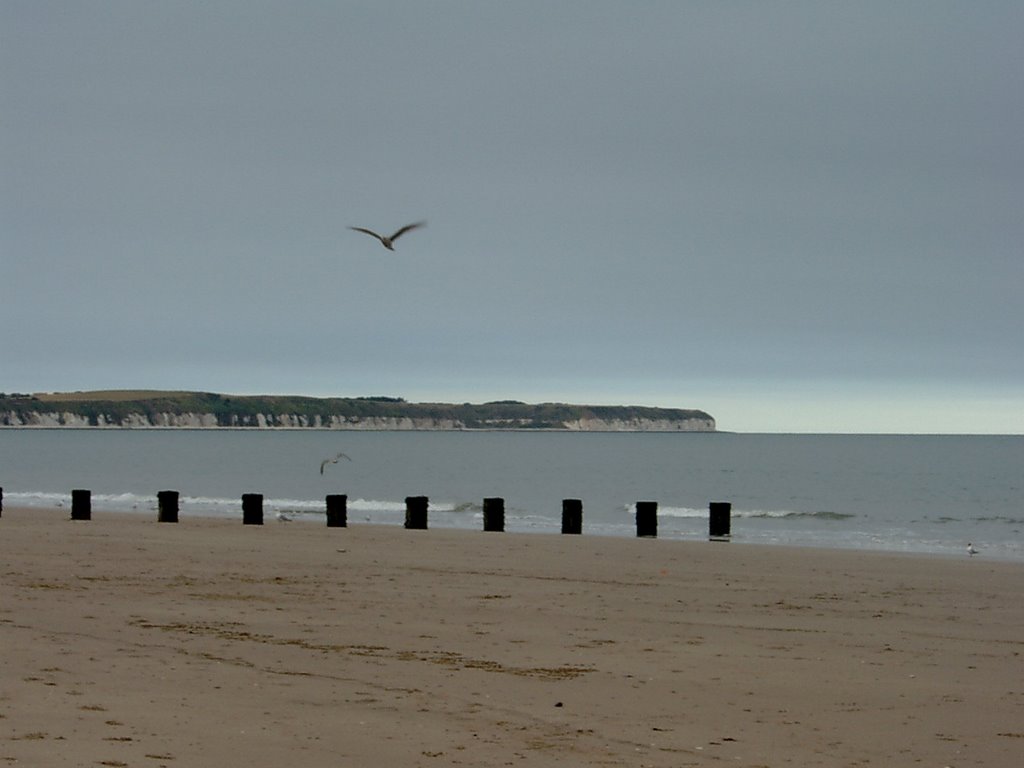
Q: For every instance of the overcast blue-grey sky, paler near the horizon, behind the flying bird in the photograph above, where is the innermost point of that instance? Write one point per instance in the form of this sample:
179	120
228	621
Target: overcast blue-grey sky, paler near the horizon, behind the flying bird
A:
798	217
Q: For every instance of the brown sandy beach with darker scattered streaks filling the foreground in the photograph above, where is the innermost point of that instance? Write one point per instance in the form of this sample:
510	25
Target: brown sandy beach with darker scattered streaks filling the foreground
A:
129	643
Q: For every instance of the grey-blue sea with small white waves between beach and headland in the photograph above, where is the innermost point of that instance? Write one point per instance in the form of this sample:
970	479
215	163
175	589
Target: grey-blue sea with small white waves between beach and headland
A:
912	494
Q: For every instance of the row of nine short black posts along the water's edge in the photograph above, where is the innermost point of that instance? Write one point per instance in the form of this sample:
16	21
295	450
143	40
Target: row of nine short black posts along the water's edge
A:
416	513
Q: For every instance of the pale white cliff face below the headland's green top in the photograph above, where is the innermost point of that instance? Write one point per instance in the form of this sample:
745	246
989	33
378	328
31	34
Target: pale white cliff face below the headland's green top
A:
292	421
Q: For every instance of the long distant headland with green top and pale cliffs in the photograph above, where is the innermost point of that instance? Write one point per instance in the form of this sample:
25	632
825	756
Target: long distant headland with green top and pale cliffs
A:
184	410
